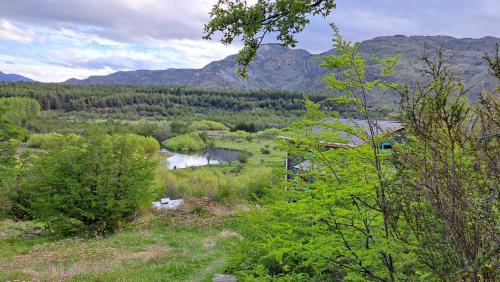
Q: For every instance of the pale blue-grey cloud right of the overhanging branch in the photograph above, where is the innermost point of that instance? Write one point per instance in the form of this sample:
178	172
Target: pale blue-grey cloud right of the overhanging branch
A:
361	20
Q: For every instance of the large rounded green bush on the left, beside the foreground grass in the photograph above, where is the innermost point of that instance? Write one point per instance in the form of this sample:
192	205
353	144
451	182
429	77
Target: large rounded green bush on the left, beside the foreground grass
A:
84	184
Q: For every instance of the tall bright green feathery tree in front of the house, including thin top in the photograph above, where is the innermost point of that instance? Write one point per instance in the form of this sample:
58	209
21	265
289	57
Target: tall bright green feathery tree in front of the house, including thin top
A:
335	220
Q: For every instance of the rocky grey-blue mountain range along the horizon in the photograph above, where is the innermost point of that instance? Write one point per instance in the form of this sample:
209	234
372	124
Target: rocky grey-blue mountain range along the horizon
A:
297	69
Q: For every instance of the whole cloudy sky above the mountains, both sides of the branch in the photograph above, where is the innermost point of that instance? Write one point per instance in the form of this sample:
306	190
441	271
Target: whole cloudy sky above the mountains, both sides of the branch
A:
54	40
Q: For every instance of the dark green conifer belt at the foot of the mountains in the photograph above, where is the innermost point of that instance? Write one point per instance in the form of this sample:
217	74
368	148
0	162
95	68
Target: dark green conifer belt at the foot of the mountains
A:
156	101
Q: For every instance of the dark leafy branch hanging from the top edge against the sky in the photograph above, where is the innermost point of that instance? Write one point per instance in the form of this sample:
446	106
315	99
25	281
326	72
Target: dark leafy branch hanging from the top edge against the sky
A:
252	22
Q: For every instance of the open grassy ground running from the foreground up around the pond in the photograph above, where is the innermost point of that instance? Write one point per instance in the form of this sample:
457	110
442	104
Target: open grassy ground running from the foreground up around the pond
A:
189	244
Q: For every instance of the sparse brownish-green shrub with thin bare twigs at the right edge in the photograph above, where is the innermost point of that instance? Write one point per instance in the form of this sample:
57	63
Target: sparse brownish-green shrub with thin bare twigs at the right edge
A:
447	187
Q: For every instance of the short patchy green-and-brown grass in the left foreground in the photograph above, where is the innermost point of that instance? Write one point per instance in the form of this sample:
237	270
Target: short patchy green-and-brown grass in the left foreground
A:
185	246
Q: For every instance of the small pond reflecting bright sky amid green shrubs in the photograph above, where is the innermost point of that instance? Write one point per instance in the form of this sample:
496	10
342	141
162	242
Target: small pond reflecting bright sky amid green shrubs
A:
217	156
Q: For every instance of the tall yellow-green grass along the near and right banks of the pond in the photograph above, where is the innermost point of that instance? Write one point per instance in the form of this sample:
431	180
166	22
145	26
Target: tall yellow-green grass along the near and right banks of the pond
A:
228	183
